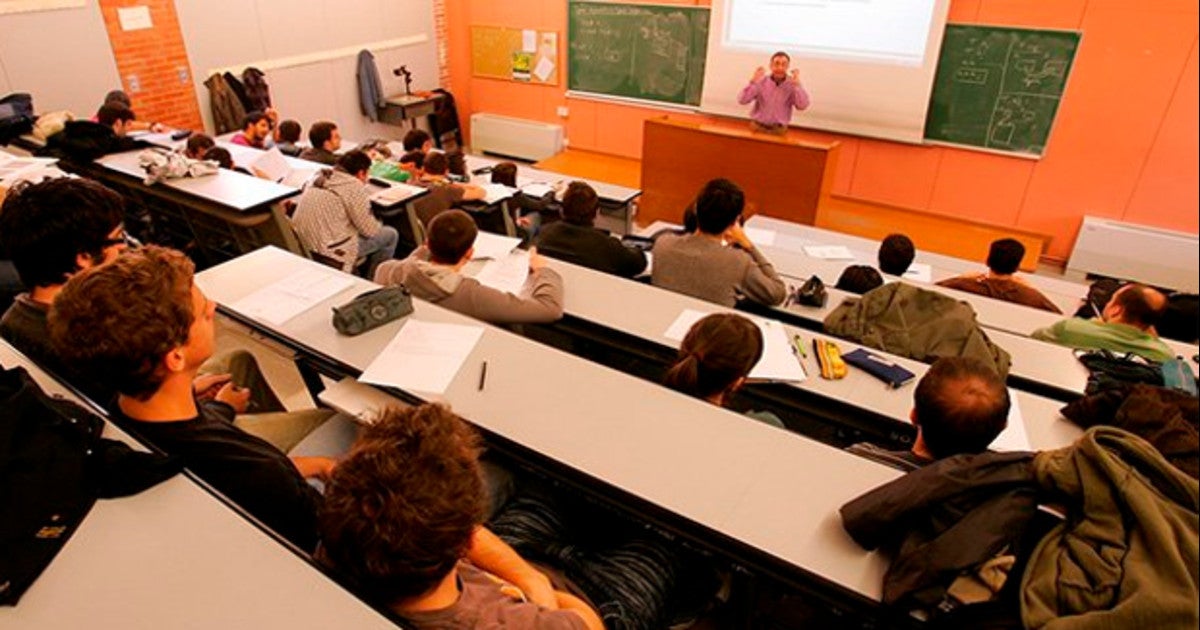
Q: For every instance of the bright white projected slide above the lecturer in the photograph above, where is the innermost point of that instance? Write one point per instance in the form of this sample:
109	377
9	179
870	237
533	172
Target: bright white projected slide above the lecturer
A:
874	31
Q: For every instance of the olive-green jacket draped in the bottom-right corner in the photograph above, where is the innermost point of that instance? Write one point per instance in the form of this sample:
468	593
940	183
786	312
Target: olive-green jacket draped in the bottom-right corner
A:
1127	555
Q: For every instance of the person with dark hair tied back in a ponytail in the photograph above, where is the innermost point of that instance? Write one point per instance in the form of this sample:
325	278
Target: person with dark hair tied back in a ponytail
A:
715	359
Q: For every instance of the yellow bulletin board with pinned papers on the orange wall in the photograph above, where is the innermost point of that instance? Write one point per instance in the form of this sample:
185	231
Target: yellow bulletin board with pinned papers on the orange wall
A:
525	56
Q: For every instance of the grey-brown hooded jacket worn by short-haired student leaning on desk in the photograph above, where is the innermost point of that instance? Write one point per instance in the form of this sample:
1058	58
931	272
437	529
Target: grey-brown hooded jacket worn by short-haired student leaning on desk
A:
541	302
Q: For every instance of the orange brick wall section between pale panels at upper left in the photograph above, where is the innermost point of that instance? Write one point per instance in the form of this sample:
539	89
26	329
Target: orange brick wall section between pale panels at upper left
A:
158	58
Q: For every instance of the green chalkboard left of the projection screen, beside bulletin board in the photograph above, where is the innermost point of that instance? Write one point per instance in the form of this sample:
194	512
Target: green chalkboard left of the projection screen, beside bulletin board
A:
647	52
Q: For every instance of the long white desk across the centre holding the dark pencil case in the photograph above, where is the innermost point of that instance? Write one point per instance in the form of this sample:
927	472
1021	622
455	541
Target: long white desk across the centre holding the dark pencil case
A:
705	465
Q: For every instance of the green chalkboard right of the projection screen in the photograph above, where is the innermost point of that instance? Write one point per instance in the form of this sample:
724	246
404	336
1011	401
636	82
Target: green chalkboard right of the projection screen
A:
999	88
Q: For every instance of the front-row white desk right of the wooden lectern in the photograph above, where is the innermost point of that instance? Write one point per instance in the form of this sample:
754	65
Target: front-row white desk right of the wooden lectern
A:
794	238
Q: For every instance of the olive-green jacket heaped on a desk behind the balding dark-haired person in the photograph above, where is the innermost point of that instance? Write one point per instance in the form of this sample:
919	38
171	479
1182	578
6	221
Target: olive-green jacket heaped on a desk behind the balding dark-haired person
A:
916	323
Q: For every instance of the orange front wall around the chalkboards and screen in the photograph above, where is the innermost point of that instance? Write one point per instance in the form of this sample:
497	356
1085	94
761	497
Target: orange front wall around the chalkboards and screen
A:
1125	143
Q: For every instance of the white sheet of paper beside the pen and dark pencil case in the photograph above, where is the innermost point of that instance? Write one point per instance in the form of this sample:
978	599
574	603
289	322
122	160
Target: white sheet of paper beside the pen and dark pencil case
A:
424	357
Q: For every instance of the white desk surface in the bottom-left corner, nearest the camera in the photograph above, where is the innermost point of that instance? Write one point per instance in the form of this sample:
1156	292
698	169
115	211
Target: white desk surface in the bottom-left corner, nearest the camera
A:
176	556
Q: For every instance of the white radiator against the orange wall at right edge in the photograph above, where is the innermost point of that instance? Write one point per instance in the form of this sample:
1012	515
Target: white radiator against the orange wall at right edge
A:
1153	256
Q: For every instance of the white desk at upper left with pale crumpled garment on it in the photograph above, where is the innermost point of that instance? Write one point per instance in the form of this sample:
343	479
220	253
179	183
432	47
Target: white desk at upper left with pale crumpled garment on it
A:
229	189
